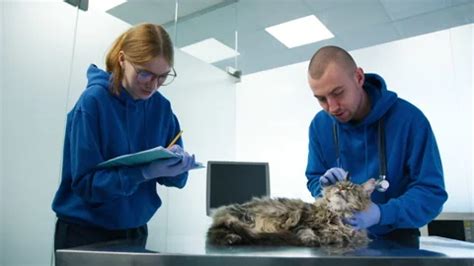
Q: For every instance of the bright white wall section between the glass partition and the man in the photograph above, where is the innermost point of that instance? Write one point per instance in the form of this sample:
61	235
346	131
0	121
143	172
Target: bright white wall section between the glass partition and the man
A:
274	109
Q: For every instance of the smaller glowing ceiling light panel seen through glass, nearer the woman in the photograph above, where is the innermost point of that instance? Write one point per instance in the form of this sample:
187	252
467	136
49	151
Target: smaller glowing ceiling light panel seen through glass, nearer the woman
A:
210	50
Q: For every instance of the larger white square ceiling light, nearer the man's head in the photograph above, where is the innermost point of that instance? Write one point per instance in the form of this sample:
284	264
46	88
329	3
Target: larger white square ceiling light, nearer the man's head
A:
300	31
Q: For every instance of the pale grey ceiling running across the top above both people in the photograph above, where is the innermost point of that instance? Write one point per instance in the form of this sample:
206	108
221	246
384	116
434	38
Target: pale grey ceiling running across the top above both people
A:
355	23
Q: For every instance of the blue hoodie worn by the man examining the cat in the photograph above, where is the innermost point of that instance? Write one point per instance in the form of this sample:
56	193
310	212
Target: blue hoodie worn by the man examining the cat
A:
416	193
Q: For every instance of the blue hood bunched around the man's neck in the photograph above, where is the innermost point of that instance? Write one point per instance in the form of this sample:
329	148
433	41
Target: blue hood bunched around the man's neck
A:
380	99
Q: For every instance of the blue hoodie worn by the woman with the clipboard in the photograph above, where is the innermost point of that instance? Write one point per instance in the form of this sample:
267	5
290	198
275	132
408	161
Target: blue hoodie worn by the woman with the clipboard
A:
102	126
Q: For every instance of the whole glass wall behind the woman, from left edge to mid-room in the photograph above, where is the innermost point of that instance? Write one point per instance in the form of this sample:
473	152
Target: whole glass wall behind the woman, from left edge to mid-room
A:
47	57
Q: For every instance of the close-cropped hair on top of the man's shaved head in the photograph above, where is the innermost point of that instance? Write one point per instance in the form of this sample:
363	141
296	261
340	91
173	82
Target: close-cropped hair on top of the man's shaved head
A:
327	55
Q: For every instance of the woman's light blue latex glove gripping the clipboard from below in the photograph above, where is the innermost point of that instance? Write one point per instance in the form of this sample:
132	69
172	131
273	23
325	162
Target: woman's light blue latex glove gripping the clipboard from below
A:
169	167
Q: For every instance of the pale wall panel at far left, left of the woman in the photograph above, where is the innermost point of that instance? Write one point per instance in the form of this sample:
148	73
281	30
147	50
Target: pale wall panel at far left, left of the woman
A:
33	97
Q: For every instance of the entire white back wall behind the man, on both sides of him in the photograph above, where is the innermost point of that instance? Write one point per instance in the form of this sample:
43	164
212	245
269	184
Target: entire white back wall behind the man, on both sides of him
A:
433	71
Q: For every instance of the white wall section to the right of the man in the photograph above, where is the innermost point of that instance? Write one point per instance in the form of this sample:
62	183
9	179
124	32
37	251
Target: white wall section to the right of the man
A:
433	71
